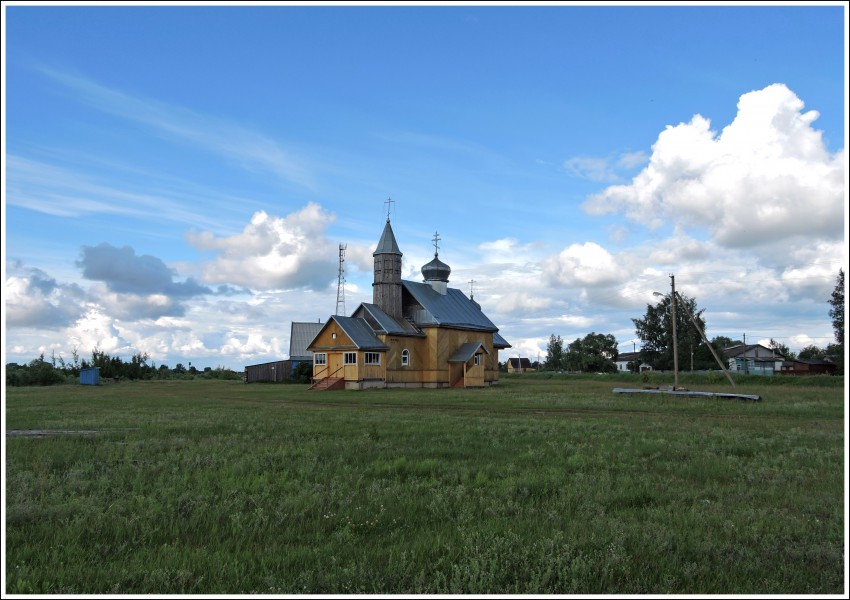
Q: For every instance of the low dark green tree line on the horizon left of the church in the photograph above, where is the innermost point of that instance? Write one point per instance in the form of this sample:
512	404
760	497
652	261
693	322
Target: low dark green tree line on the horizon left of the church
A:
42	371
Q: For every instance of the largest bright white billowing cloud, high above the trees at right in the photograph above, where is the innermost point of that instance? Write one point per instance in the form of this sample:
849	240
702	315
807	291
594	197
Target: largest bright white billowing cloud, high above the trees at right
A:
766	177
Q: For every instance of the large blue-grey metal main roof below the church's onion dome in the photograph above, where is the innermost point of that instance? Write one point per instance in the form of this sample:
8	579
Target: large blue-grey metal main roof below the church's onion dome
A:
453	309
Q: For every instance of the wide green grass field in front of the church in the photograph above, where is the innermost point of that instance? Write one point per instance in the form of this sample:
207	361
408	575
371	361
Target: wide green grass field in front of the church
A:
538	486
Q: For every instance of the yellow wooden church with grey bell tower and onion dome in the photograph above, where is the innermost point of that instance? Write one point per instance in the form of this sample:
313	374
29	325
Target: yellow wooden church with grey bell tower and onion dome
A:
413	334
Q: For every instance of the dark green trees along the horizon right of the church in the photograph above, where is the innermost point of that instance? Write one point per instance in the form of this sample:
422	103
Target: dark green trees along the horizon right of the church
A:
598	353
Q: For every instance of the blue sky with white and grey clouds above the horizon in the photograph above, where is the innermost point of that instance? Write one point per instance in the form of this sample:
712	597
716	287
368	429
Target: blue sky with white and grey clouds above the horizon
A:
177	180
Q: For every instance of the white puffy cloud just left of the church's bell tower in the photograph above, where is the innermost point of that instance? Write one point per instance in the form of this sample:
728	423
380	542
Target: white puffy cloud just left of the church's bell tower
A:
273	252
